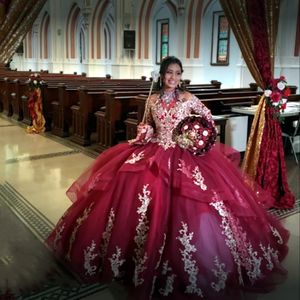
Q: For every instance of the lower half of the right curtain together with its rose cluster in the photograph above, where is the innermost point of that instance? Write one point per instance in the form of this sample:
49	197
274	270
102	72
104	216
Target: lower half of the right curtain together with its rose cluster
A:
264	159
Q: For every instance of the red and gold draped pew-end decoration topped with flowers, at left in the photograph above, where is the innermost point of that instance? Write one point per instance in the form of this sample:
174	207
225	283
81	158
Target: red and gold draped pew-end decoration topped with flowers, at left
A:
35	104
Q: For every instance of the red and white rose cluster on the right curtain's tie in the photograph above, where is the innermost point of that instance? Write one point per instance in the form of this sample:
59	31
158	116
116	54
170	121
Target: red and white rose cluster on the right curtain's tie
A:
277	95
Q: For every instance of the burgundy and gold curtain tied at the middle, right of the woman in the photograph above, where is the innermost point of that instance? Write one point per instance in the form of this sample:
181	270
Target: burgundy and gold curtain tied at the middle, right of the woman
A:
254	23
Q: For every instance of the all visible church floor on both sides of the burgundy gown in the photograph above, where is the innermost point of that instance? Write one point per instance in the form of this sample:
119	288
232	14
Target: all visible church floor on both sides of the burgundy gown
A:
36	170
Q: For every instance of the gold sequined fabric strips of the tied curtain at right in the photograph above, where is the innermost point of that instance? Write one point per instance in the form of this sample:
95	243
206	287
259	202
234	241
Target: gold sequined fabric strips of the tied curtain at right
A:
236	12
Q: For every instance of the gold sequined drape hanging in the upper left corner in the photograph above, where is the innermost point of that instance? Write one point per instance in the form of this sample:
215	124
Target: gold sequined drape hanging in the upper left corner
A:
16	23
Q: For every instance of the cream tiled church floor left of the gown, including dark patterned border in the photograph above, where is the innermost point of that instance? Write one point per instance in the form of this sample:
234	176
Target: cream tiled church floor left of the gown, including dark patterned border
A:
35	173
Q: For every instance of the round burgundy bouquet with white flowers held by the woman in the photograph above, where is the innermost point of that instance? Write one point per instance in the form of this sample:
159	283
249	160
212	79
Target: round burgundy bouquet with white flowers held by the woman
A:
196	134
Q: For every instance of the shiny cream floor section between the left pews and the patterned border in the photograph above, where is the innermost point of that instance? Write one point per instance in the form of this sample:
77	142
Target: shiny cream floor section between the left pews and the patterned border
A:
38	168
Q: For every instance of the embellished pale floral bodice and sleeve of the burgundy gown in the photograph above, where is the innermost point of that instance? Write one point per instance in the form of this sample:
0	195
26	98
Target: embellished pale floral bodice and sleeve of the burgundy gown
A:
167	116
